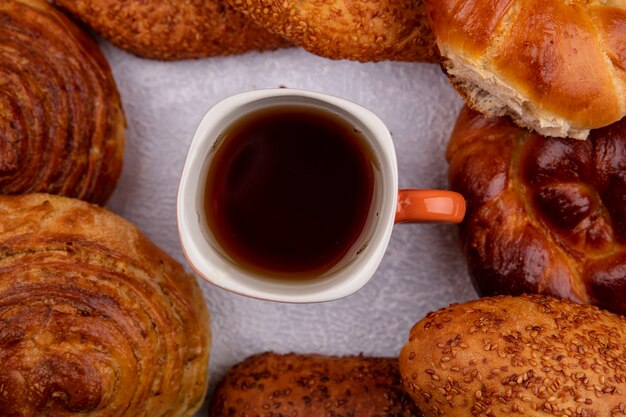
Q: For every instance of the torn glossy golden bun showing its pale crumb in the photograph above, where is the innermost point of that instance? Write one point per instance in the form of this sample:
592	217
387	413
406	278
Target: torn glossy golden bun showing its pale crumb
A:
557	67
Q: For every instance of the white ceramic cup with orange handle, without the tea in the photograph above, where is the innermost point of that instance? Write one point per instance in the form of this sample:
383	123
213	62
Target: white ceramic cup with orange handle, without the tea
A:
388	206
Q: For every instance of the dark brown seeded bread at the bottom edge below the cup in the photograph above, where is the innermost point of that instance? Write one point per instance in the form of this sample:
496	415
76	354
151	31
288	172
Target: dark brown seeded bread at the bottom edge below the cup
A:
311	386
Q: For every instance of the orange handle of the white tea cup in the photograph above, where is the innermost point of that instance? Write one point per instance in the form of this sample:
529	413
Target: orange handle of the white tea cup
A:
429	206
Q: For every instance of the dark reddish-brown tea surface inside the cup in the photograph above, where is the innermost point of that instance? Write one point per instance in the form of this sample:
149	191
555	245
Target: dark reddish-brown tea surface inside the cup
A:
288	190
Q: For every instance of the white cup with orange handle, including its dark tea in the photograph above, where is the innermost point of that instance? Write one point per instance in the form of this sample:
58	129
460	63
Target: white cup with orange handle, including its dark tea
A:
283	198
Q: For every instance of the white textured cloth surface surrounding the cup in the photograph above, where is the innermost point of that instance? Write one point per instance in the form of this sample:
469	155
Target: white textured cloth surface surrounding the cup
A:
423	268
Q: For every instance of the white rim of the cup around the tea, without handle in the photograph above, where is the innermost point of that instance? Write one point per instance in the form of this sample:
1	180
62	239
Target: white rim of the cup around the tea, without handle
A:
192	240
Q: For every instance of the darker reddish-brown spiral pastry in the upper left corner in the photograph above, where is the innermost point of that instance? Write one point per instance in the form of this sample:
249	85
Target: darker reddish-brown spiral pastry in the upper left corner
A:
61	118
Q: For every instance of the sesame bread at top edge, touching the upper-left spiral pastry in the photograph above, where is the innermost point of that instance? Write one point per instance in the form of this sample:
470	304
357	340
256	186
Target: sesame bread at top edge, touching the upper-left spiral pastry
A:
173	29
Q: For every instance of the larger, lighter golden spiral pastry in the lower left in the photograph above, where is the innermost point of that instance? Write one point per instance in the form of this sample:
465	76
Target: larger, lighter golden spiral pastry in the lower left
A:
94	318
